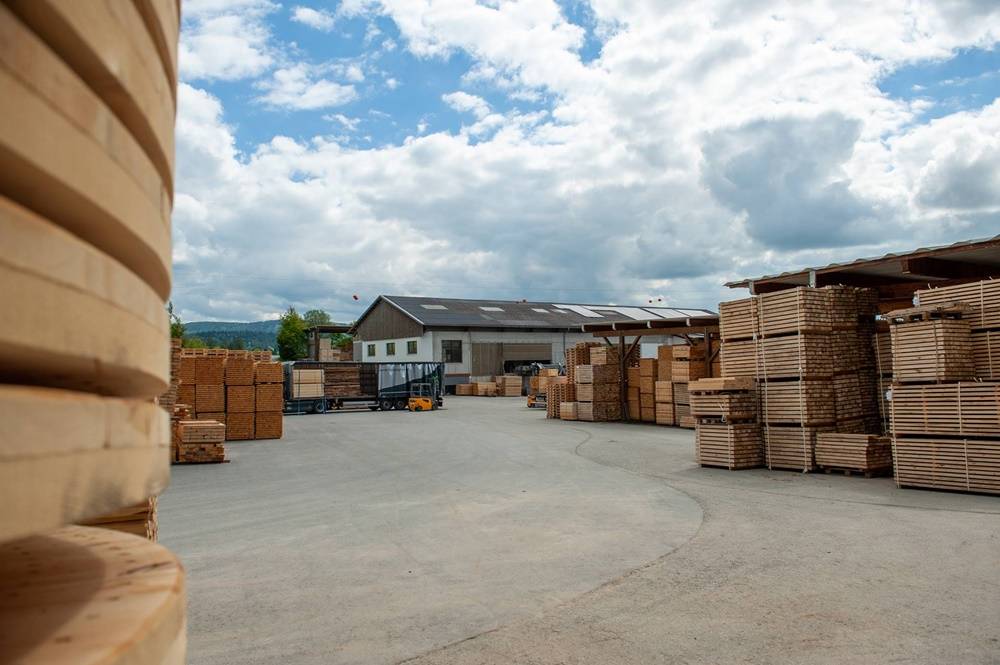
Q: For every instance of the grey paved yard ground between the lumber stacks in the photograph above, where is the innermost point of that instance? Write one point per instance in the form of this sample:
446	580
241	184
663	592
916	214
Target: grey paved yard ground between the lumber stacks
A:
487	534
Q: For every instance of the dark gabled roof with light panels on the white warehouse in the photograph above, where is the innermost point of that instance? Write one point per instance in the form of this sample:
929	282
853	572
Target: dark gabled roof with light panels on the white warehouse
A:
554	315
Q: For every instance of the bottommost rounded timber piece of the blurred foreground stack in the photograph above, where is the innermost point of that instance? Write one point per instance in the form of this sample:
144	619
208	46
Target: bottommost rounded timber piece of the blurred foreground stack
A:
90	595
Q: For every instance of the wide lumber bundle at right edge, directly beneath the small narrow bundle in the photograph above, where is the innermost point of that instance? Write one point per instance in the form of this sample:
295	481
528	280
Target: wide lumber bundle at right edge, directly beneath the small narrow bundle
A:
966	408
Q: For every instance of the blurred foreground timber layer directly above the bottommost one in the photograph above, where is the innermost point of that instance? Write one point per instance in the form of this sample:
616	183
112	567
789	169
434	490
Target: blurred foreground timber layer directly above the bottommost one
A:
69	456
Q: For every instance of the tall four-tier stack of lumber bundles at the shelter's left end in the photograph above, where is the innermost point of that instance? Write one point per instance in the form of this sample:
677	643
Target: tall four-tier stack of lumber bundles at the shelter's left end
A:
810	352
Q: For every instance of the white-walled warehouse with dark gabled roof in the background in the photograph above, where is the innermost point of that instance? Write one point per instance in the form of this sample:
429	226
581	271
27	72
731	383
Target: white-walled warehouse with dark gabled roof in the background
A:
484	337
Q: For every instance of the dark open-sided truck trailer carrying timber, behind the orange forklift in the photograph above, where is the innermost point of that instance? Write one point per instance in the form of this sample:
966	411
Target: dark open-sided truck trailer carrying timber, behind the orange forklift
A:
380	386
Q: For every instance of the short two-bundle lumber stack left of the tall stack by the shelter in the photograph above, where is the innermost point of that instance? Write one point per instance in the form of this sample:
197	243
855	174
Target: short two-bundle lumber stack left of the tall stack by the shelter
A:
727	434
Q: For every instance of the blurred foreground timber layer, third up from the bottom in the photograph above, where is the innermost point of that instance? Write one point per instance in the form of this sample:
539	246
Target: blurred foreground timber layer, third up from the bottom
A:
54	282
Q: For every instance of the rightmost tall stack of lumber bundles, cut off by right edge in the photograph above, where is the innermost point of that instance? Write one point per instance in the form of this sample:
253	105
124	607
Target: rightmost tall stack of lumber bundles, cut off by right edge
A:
945	424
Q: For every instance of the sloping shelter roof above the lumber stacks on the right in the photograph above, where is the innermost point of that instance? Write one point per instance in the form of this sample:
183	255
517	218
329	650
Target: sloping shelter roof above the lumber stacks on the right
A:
967	259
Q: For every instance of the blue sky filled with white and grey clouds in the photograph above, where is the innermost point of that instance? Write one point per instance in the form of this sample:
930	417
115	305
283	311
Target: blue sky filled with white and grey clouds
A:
612	151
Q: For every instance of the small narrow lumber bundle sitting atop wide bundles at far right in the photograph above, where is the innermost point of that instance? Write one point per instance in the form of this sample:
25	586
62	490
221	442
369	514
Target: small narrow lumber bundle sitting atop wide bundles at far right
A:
931	343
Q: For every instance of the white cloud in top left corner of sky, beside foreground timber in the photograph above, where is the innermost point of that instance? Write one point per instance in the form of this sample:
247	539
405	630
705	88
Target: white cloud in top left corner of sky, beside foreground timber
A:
225	40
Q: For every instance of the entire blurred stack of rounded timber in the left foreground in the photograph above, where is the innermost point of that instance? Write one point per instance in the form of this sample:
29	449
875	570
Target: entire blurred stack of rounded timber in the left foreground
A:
86	192
